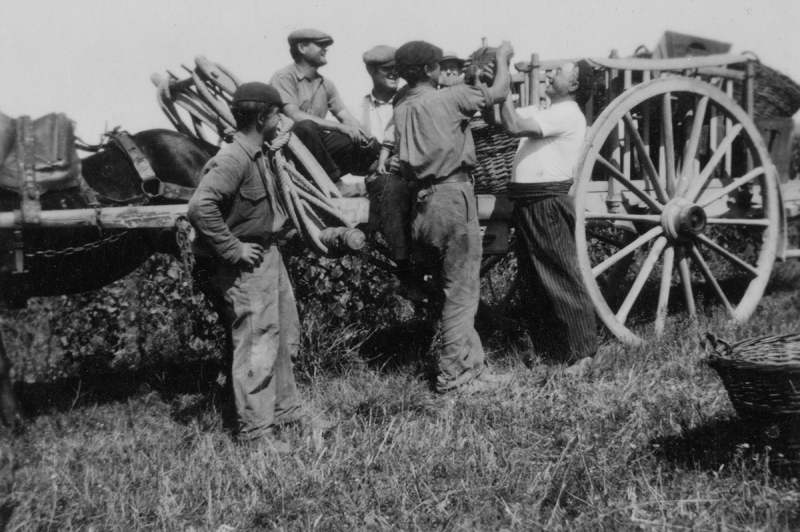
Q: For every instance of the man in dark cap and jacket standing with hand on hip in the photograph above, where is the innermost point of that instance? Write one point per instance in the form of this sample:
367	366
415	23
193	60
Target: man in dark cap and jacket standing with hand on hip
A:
237	215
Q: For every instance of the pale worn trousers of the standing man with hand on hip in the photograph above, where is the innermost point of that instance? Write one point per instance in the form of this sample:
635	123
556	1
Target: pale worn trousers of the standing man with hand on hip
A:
258	309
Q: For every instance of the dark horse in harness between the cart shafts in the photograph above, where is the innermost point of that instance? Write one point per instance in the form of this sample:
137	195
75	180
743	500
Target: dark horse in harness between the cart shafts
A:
79	259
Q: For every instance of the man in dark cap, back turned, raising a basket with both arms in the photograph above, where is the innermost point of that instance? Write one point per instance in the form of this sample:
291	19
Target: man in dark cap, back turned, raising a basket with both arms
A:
437	153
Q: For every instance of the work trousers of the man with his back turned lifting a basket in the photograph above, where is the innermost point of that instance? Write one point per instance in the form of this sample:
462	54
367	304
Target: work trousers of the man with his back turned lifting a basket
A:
445	228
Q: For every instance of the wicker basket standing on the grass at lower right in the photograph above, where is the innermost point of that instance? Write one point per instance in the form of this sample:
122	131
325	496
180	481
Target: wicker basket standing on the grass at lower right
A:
762	376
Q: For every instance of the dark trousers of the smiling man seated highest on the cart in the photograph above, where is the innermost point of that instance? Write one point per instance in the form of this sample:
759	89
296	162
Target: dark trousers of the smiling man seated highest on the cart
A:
336	152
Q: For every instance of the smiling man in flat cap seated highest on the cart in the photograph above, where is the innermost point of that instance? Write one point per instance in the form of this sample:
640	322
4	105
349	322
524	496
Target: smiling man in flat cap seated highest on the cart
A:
341	146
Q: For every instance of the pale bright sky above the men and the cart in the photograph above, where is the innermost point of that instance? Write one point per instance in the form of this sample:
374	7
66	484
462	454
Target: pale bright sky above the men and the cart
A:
93	59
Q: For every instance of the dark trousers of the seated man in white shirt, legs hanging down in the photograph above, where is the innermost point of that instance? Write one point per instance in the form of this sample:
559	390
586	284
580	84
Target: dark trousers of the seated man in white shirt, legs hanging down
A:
390	202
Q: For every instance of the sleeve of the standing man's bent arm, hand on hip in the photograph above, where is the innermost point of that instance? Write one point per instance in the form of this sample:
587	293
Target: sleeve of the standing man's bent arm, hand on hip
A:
216	193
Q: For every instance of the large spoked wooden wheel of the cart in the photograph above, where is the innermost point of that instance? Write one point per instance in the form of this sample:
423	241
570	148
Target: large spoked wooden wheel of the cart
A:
677	207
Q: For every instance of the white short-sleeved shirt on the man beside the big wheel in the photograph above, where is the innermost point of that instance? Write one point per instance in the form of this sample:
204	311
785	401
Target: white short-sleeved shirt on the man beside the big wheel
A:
554	156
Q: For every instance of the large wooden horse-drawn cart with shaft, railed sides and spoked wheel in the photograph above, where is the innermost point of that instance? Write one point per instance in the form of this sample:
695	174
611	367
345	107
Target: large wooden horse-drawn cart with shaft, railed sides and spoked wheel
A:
682	198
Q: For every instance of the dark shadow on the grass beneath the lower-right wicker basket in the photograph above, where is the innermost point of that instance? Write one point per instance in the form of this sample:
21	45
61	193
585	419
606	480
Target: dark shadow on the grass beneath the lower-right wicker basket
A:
727	442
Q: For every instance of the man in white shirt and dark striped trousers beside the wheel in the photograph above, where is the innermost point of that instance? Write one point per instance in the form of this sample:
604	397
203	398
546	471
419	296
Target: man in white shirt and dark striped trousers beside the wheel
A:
542	174
